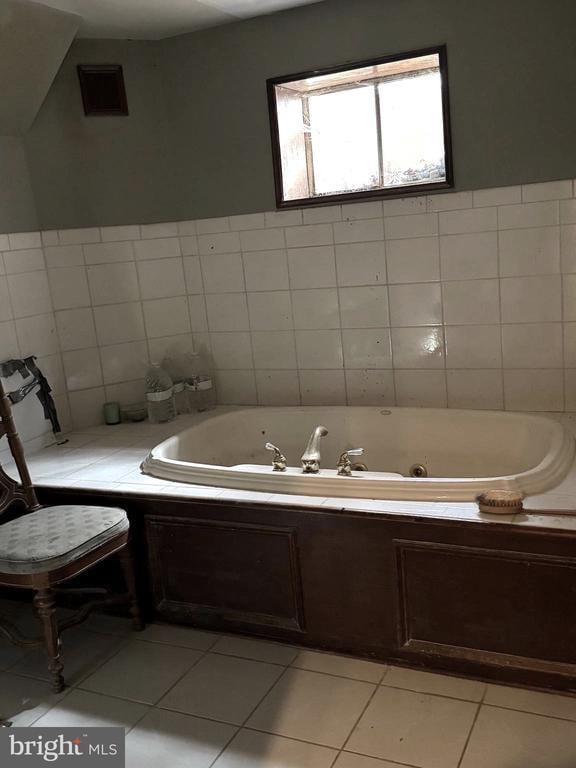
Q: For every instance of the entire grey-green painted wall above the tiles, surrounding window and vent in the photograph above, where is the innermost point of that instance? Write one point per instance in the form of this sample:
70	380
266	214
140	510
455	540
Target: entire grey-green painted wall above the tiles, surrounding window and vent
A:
512	78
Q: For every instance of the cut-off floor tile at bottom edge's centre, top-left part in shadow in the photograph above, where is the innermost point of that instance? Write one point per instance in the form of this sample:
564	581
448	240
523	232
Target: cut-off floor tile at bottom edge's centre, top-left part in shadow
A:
250	749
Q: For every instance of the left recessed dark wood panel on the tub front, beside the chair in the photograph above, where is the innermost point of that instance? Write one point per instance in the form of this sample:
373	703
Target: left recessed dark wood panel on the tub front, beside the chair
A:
236	572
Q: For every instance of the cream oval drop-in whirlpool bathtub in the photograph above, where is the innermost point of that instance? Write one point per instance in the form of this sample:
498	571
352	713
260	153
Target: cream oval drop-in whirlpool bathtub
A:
463	452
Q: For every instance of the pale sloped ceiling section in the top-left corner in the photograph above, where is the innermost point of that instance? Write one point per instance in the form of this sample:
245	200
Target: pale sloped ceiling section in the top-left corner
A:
33	42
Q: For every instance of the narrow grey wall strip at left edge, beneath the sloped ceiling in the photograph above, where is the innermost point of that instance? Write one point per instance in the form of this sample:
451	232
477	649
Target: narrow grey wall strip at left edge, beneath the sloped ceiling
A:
17	209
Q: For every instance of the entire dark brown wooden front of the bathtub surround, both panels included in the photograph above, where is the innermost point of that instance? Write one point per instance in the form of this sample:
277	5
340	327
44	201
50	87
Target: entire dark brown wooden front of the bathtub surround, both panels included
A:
491	600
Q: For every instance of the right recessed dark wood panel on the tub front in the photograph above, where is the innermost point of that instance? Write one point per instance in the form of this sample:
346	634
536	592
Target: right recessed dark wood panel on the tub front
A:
499	607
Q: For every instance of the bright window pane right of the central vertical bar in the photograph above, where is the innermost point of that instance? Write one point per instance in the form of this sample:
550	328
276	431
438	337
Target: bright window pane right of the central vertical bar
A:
412	130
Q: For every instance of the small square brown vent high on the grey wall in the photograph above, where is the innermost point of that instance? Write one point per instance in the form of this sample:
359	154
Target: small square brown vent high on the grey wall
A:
102	87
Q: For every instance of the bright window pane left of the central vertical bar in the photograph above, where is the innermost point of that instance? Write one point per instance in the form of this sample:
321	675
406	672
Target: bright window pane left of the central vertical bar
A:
344	140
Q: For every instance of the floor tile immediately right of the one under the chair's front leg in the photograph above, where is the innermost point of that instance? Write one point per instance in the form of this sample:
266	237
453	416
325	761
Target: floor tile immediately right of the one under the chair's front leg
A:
142	671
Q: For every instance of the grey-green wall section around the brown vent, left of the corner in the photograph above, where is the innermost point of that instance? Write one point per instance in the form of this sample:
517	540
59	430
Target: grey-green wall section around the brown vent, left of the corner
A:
103	170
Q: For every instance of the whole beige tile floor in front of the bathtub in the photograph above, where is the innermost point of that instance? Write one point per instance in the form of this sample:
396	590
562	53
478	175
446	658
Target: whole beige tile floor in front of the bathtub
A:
210	700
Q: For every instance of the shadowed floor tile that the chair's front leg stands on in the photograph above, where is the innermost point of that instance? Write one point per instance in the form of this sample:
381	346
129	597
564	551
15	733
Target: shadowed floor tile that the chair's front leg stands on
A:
82	653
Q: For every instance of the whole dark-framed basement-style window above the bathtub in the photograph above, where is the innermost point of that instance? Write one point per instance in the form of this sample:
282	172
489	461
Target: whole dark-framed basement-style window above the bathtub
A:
365	130
